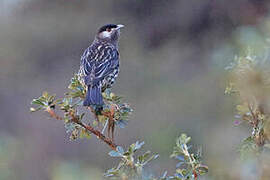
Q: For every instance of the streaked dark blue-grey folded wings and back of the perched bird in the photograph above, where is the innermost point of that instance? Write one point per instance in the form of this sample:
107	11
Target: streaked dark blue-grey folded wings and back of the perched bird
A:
98	65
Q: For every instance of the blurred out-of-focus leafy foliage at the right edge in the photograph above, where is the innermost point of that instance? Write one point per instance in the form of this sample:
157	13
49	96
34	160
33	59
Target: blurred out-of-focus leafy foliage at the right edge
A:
249	84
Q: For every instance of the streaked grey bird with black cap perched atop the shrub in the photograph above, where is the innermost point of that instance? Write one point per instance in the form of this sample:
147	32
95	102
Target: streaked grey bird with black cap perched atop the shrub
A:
99	65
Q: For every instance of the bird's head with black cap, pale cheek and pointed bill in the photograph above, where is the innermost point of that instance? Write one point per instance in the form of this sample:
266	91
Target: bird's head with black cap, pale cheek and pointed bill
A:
109	33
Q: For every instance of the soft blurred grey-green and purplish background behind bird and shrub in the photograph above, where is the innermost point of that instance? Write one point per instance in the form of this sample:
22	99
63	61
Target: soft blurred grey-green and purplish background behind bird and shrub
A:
173	55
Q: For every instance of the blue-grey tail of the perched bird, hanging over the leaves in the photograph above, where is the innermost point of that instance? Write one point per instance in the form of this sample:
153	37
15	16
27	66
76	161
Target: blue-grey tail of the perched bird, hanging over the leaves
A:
93	96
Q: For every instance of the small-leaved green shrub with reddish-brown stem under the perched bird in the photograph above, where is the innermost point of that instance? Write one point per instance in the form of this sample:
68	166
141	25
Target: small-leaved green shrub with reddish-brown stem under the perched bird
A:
115	112
